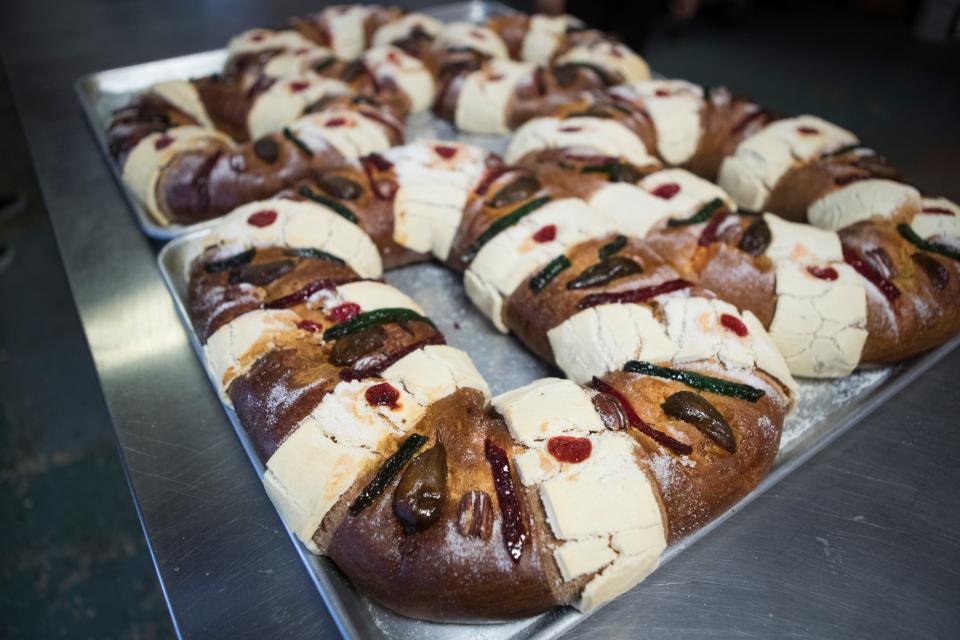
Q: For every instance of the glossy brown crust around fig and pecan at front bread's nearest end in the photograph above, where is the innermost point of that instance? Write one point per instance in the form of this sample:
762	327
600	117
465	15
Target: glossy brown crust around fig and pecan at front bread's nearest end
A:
441	574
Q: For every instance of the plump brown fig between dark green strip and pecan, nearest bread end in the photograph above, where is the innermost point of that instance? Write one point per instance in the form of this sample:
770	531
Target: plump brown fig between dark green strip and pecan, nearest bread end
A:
419	496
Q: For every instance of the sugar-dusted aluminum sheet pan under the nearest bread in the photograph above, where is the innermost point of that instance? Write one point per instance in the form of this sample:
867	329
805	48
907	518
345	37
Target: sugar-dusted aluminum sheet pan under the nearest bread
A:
825	409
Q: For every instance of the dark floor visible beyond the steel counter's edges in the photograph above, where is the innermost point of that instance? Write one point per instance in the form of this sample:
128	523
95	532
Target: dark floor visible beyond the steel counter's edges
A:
74	562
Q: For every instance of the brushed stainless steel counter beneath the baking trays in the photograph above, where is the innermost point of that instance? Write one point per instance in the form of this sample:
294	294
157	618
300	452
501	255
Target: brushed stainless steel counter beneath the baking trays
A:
863	541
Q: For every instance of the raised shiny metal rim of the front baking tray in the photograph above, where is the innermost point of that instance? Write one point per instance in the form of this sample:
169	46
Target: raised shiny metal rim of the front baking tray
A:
558	620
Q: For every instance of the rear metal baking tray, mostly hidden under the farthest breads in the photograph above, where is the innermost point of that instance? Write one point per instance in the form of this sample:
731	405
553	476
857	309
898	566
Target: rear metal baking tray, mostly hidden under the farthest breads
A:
103	92
